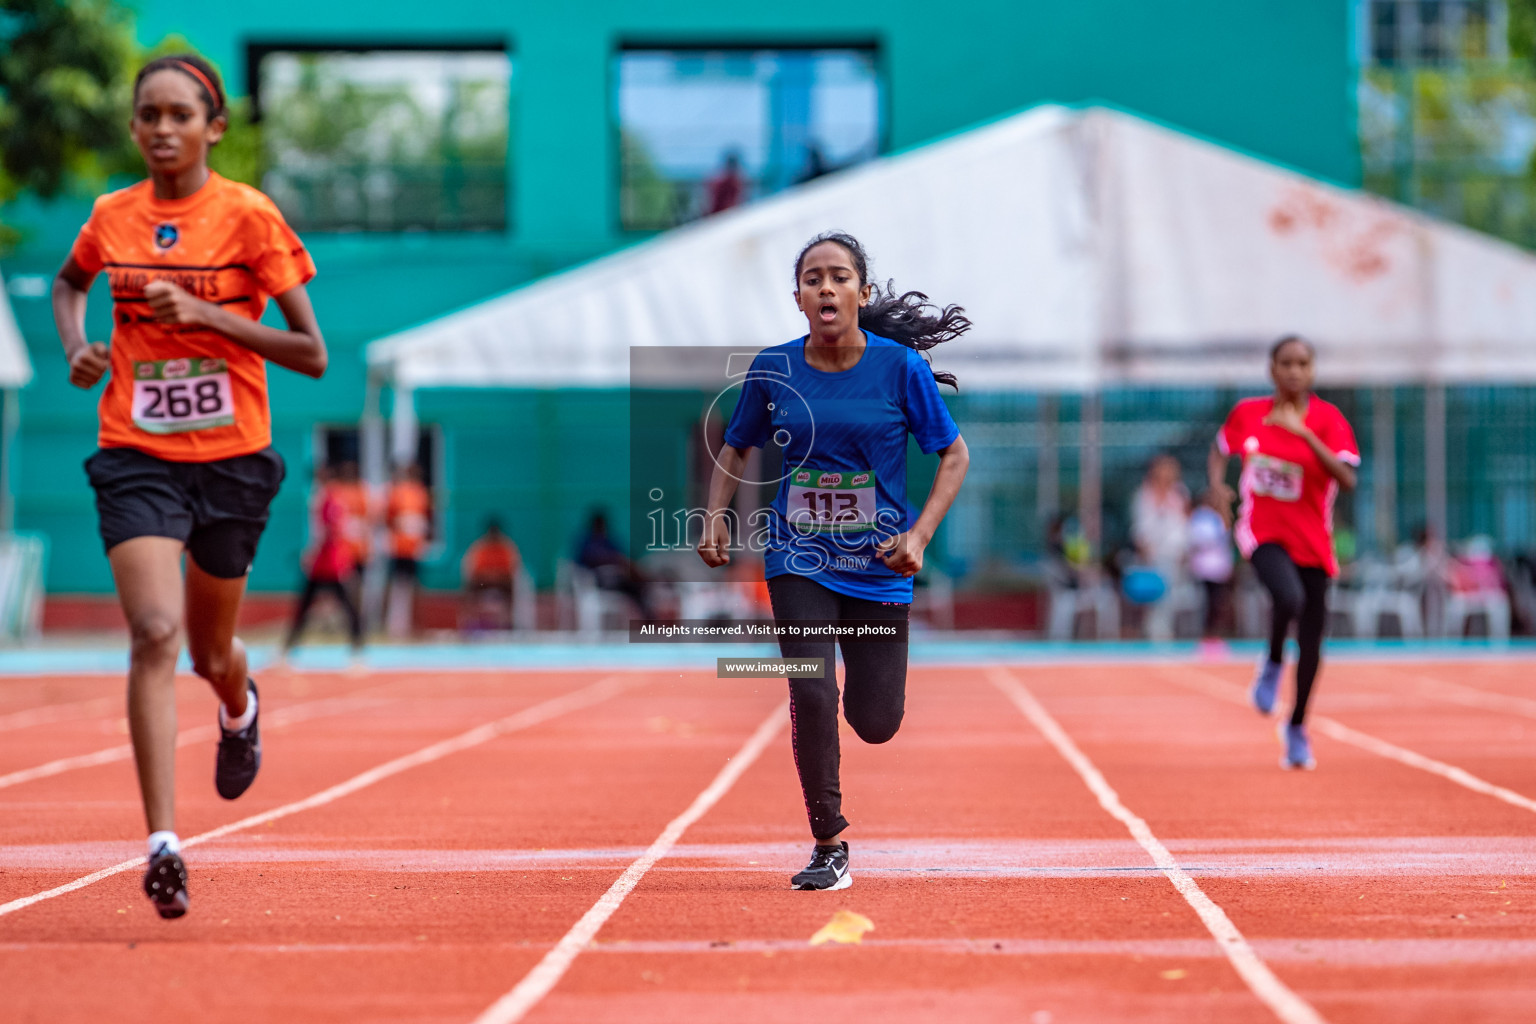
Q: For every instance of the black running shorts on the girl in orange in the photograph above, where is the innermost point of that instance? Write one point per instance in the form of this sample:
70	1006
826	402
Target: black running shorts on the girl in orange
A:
216	509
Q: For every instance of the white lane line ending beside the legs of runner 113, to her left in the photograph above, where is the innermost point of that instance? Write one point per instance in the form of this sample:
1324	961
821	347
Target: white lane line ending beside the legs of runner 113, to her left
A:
549	971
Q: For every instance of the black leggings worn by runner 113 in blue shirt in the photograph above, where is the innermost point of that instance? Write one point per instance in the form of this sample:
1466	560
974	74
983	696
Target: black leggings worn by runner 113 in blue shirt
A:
875	690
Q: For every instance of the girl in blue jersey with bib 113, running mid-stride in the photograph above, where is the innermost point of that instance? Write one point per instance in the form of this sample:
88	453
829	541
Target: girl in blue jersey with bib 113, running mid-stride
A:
841	543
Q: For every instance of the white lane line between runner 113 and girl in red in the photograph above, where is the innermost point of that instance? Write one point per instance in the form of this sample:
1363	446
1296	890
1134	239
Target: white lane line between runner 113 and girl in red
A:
1273	993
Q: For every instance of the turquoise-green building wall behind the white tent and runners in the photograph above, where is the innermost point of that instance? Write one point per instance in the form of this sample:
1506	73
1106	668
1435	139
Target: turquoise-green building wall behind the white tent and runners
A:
1274	79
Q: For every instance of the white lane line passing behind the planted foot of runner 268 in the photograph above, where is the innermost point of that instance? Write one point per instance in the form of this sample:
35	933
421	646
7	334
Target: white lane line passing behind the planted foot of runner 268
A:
525	719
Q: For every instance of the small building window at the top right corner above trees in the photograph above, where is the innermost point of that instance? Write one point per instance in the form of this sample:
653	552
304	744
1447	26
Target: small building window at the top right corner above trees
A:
1437	31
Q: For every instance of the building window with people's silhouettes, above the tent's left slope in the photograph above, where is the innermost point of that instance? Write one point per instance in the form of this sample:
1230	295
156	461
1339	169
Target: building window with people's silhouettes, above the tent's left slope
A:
704	131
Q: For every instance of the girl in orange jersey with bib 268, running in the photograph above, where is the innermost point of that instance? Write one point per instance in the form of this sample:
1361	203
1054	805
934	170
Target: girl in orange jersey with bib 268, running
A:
187	461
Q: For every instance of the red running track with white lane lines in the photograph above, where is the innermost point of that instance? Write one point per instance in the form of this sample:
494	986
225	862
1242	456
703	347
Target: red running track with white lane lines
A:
999	885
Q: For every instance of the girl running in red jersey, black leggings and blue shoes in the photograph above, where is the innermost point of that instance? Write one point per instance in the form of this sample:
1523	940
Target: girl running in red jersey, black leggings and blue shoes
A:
1297	452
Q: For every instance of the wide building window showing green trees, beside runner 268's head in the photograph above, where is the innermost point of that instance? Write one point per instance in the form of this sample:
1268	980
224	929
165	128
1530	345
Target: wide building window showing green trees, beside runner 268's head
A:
386	140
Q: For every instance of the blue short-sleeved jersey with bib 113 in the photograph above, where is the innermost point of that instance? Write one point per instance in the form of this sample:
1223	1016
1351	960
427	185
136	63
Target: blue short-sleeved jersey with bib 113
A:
844	438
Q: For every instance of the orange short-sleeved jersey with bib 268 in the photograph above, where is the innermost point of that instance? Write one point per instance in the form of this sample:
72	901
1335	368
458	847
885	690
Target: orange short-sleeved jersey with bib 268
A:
176	392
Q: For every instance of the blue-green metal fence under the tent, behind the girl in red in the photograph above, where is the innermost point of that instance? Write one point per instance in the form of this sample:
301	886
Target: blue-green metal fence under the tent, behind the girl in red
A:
1033	458
